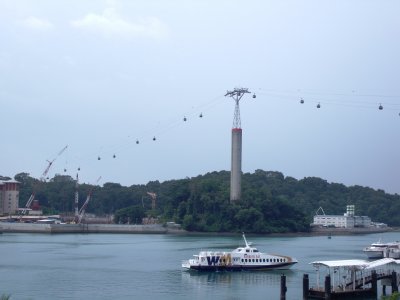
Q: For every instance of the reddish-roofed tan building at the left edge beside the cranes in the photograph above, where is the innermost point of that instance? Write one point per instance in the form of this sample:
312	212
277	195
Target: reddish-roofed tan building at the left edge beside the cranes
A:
9	197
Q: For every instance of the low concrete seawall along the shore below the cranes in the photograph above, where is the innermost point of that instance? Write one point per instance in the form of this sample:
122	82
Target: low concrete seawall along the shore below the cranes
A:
82	228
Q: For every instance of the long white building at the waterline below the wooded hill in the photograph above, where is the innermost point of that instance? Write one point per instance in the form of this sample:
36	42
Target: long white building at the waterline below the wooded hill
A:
347	220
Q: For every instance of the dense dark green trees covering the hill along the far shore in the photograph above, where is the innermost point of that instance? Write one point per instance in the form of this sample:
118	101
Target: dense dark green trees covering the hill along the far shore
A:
271	202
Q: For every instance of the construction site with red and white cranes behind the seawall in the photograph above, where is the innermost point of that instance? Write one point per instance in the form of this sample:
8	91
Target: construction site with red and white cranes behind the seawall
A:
30	218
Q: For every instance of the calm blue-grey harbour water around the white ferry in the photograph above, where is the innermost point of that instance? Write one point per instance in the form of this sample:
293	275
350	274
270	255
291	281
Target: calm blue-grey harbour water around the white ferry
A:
136	266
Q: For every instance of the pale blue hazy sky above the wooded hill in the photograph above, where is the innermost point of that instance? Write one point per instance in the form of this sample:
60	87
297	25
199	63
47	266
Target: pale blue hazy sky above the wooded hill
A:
99	75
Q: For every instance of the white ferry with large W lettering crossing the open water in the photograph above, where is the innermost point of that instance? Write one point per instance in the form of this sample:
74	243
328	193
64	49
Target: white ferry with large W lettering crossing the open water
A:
240	259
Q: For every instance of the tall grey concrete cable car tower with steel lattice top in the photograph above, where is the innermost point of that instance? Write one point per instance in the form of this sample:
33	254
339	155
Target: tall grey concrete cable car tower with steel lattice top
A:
236	158
